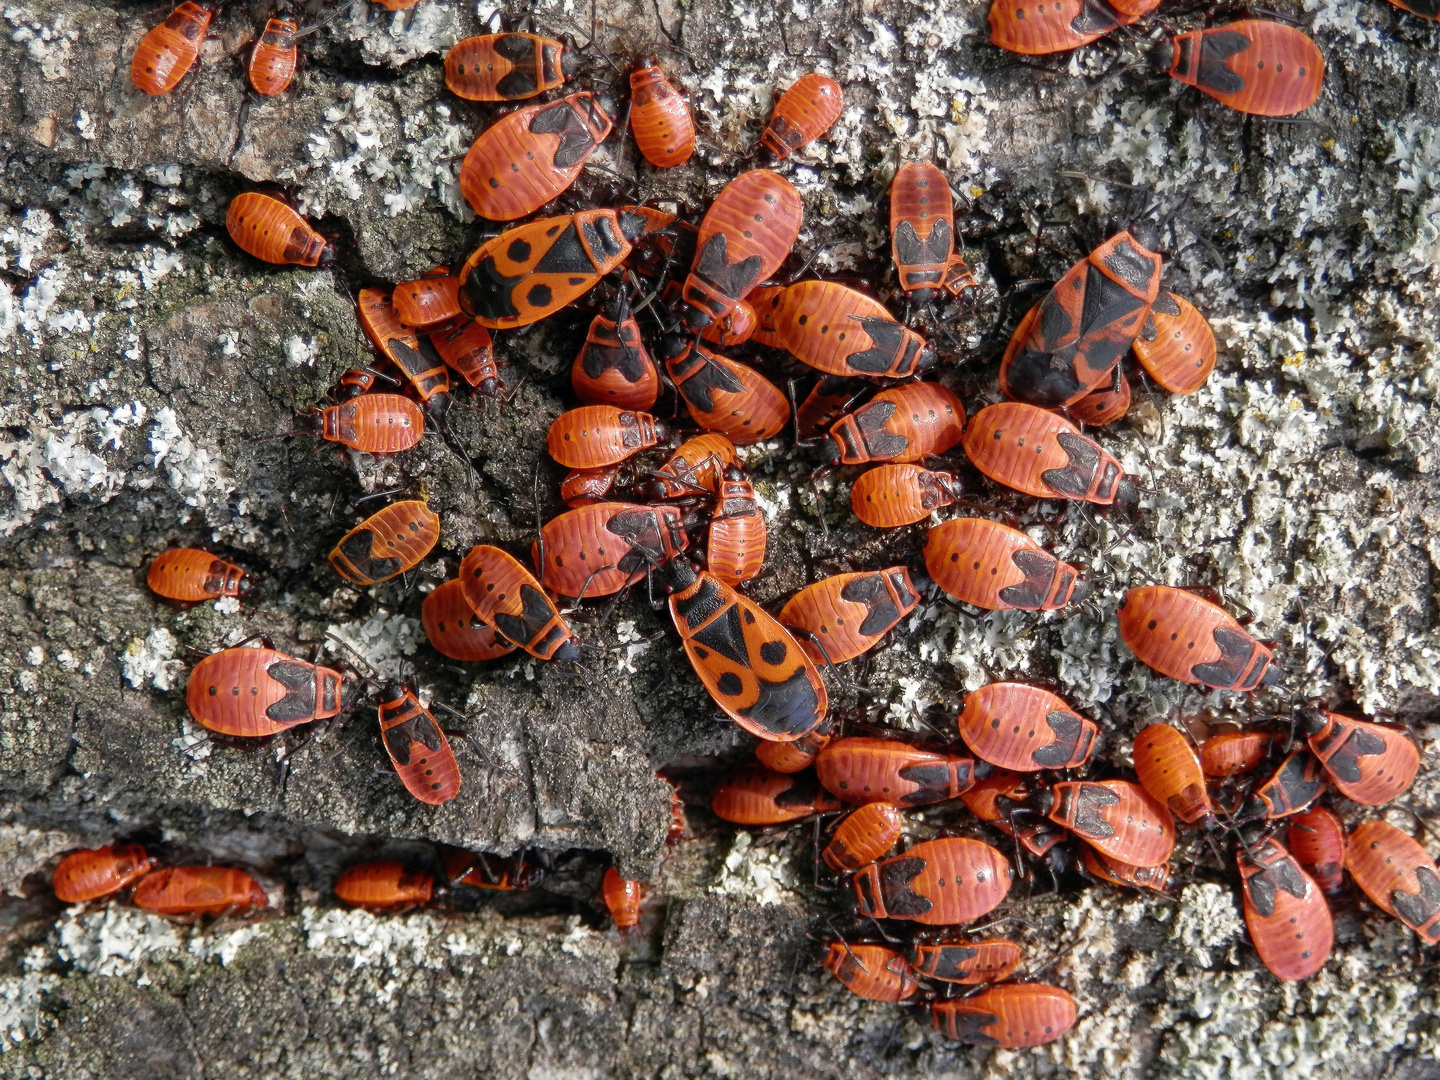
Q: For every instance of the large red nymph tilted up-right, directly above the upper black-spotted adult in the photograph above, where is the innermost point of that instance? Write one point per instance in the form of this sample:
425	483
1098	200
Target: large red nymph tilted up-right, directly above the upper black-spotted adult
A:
531	156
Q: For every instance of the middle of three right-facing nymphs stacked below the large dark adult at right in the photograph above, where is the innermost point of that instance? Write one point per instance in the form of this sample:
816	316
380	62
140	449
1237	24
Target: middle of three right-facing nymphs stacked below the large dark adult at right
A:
999	568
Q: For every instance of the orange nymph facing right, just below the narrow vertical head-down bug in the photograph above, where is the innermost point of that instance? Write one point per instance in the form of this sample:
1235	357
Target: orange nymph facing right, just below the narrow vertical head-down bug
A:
842	332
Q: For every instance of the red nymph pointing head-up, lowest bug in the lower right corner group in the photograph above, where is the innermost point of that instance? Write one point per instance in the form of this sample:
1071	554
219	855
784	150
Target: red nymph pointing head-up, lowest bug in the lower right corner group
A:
1287	914
